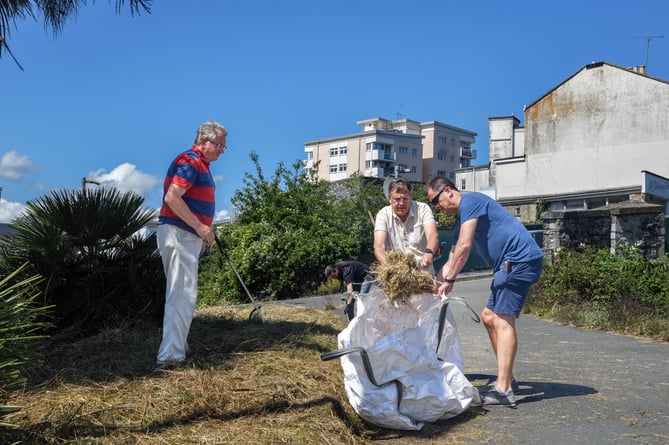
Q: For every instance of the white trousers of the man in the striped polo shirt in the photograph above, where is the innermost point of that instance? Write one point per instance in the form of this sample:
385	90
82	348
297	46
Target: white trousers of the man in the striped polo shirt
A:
179	251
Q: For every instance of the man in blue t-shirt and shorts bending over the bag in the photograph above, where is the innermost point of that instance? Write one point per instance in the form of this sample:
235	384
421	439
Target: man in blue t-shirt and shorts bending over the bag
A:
505	244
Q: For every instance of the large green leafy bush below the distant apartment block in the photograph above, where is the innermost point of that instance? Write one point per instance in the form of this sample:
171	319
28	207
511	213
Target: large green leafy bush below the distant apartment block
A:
289	227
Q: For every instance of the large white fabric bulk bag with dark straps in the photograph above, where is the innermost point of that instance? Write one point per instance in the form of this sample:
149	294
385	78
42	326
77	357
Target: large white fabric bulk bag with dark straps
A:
401	343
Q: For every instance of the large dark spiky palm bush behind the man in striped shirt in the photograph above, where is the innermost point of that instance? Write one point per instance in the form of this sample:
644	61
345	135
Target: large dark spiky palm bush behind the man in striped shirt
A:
87	245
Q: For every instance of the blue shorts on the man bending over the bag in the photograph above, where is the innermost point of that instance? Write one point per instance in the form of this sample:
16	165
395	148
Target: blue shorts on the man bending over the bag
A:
509	290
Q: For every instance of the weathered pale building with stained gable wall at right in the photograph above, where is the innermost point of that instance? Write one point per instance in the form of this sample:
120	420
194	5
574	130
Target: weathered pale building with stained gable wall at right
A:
599	137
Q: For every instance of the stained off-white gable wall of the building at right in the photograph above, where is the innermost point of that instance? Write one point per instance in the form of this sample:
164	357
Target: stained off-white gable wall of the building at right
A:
596	131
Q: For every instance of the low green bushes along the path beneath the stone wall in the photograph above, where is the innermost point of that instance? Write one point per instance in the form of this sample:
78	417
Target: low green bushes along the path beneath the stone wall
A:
595	288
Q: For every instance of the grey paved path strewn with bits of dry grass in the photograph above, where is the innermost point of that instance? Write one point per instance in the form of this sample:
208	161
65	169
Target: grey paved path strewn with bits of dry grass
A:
577	386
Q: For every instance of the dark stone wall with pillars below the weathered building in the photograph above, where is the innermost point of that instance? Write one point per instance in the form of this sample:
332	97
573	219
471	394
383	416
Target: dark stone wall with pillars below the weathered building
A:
630	222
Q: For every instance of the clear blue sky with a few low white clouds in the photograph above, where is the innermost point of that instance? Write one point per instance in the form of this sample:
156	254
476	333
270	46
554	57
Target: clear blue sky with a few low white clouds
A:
114	98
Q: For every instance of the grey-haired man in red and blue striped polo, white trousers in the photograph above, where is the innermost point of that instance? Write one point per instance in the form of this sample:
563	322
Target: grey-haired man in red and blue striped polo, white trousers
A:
184	231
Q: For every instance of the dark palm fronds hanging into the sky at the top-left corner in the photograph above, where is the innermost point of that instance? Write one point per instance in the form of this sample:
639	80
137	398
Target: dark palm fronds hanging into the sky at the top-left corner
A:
55	12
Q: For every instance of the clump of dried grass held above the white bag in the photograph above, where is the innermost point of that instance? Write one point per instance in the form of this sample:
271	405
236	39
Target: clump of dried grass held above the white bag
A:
400	277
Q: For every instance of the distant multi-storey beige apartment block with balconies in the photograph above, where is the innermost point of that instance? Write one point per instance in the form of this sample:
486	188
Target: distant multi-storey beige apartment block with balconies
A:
414	150
